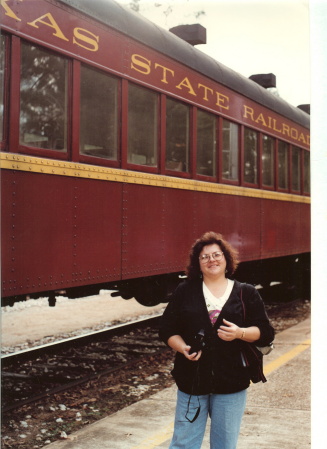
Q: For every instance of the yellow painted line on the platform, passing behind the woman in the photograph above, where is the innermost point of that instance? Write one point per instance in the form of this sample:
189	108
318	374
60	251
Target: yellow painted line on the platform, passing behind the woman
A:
166	433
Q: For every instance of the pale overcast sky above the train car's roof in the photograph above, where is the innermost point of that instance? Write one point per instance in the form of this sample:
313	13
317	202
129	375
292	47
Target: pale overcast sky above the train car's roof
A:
248	36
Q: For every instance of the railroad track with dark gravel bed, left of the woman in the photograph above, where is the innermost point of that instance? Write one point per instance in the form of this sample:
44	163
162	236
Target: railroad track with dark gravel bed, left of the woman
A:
30	375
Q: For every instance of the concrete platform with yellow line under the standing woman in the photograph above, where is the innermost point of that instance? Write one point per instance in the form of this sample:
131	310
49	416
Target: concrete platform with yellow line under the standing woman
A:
277	415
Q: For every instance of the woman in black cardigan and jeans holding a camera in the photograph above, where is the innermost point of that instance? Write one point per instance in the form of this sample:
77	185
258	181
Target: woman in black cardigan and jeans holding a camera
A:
213	378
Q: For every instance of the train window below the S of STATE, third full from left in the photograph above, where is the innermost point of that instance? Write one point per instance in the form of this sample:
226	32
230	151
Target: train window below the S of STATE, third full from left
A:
142	126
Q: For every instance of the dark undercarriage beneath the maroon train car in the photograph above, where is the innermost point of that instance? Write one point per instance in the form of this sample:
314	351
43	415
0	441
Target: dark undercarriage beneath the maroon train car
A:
293	271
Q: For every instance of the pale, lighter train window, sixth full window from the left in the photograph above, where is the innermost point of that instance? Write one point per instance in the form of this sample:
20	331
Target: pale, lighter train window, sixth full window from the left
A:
230	151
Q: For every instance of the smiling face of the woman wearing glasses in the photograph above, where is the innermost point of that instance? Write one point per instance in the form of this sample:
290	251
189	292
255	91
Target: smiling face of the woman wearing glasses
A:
212	261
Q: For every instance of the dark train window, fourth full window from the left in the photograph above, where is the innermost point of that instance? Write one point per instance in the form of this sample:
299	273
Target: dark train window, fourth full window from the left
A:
177	136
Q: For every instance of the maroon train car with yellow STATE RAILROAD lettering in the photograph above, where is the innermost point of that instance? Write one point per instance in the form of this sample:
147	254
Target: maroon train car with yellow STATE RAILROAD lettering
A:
122	143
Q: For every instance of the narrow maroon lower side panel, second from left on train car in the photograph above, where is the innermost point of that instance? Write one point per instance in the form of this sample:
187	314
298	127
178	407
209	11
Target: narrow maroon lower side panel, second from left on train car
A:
97	225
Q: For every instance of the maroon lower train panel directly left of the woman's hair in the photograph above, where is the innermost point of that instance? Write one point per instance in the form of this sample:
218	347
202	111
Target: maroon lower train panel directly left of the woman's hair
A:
157	227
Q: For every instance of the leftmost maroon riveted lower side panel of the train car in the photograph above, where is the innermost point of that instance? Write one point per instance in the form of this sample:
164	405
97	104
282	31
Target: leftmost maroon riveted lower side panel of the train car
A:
40	207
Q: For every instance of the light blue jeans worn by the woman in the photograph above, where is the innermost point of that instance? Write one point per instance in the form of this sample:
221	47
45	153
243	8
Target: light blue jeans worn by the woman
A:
225	410
